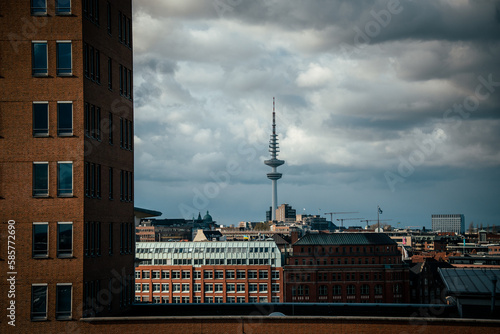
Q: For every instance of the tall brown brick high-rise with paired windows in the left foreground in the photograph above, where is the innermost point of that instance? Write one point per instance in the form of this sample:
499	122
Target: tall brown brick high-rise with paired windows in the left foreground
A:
66	161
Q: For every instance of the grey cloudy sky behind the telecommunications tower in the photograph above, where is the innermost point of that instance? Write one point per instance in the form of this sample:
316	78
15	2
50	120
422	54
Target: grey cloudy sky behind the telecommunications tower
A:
390	103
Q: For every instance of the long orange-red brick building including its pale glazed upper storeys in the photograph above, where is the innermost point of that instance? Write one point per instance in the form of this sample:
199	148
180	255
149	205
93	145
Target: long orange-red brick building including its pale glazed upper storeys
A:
209	272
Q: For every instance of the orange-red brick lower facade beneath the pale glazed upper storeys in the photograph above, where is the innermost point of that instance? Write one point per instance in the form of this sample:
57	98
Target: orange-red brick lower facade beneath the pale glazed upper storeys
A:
208	284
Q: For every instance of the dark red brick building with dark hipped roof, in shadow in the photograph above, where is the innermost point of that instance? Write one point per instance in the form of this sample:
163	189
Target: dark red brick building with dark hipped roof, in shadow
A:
346	268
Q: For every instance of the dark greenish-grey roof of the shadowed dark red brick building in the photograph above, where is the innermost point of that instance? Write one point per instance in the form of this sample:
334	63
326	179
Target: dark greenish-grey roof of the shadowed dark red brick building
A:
346	239
